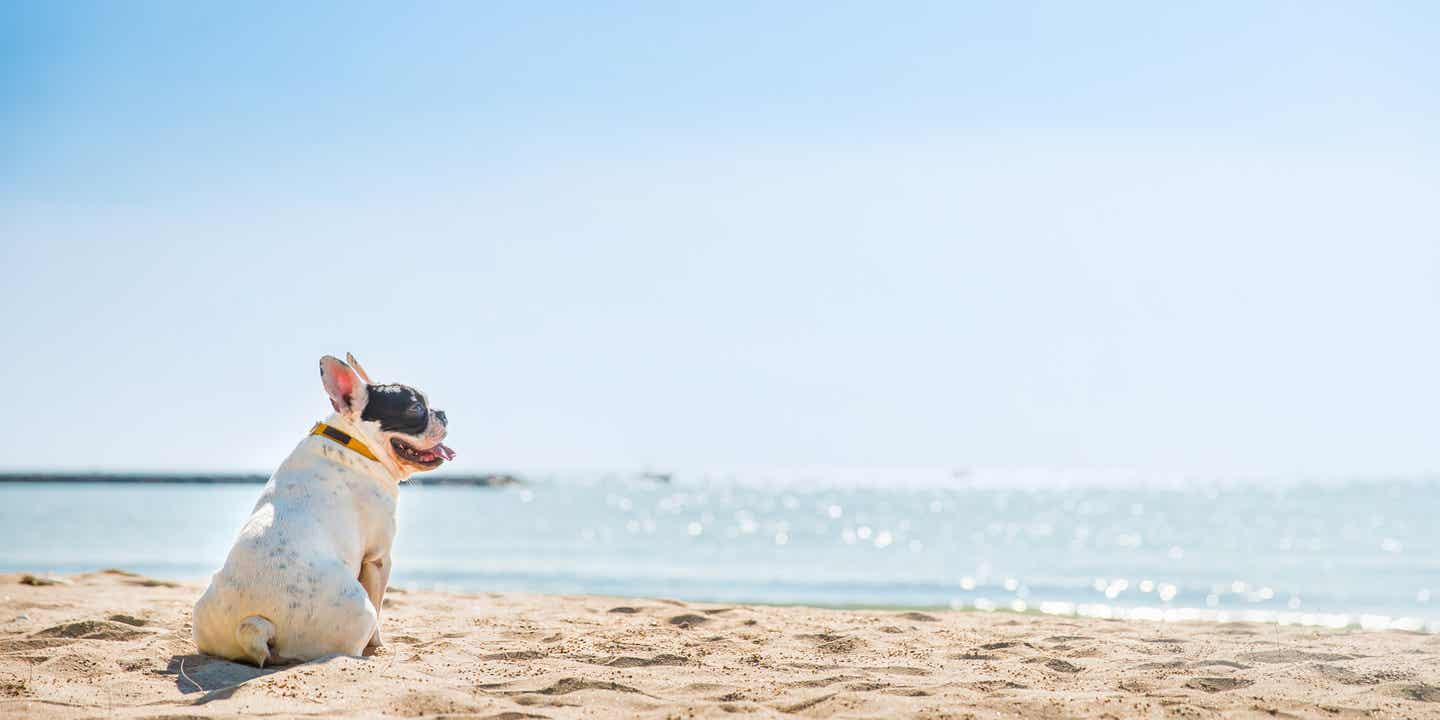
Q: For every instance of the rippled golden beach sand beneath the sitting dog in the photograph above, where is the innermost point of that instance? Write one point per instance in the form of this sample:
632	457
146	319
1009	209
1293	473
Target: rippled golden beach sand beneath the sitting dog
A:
114	644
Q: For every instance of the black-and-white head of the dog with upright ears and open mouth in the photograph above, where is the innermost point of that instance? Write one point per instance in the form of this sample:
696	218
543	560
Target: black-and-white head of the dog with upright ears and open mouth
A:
397	420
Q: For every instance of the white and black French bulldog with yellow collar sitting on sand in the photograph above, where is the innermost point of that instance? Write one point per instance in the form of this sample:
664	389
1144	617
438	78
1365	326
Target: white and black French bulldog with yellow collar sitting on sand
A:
309	572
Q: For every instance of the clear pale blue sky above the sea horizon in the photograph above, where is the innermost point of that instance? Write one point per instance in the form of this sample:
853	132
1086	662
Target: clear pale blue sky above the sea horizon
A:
774	234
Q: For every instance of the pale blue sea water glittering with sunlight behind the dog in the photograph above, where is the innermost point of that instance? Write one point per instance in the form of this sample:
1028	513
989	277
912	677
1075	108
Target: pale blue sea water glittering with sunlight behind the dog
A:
1323	554
